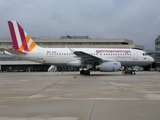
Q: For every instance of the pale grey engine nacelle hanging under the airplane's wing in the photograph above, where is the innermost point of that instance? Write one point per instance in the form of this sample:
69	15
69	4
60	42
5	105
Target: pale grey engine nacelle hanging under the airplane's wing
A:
109	66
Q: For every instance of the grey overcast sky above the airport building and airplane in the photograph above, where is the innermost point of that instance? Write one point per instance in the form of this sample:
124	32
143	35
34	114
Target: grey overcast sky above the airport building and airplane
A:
137	20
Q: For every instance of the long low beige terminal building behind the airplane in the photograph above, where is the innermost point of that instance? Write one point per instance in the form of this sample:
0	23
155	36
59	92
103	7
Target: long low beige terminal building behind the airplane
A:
8	63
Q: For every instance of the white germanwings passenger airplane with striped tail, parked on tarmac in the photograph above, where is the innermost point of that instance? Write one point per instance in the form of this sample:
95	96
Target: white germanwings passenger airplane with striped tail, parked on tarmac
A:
103	59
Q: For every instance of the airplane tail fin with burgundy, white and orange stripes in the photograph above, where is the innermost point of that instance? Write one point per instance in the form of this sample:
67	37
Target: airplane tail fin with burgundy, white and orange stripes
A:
20	39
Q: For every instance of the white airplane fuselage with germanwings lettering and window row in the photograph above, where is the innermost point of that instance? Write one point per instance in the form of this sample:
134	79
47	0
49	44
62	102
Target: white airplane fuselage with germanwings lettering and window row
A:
62	56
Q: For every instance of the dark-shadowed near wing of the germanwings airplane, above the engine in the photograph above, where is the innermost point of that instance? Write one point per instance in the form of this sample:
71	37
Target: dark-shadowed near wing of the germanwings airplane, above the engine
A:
85	57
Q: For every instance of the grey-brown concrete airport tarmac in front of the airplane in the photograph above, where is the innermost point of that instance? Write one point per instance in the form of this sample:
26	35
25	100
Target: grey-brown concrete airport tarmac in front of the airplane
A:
70	96
